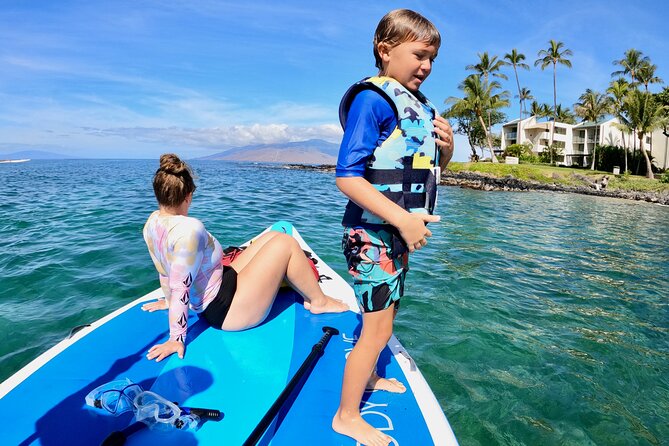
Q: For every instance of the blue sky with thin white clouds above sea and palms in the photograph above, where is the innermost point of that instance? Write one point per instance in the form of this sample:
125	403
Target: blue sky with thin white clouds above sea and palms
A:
137	78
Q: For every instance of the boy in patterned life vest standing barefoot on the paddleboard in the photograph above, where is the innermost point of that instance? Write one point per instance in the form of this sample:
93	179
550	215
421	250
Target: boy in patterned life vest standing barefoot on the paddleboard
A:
394	147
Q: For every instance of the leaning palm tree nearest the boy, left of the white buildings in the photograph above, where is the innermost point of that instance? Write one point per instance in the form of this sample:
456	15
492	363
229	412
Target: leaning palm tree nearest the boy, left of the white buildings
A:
480	100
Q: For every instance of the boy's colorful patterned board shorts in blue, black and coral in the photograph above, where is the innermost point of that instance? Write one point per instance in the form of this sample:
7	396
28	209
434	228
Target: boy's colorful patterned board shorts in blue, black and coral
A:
378	279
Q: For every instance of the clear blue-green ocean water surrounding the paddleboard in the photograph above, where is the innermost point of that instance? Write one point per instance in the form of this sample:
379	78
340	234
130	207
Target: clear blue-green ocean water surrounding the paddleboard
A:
537	318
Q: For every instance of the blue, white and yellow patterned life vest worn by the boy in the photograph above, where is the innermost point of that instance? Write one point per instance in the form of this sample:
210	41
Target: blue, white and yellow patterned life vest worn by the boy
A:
402	167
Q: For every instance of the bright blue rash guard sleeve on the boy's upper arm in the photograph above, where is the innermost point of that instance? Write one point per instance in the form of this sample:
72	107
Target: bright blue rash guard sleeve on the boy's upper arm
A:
370	121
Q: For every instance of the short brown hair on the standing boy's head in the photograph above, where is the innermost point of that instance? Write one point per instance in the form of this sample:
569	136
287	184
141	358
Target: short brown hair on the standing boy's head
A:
404	25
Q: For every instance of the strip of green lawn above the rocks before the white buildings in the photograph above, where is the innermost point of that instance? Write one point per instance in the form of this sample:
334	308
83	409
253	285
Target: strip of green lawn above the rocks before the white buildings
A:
561	175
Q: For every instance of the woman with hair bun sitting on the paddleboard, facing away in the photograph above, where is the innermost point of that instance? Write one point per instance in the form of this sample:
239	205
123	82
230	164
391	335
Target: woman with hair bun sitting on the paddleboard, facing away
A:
188	261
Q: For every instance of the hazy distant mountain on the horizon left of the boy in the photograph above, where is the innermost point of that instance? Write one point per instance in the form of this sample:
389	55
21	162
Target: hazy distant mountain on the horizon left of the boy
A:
313	151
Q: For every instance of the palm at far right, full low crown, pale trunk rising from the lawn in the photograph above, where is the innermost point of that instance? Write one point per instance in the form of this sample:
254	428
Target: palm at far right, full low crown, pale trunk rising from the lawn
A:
644	115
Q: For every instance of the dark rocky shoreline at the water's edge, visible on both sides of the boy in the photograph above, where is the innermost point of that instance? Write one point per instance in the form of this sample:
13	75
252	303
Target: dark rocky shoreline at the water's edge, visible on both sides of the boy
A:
473	180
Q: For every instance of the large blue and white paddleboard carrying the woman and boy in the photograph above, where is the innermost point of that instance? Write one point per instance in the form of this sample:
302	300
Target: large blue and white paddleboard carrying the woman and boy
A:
239	373
